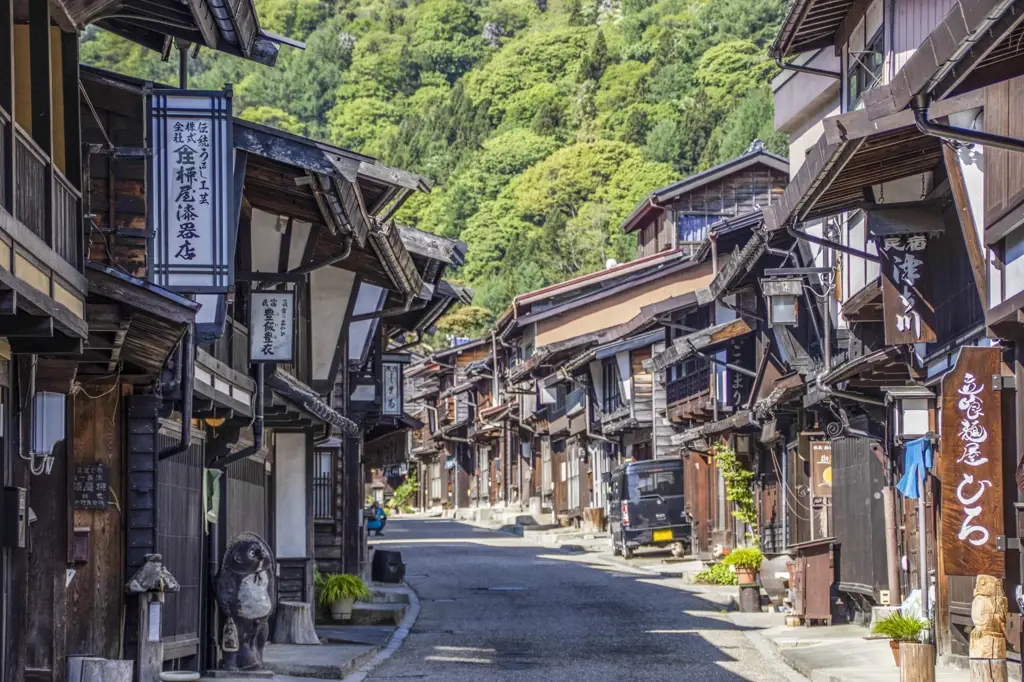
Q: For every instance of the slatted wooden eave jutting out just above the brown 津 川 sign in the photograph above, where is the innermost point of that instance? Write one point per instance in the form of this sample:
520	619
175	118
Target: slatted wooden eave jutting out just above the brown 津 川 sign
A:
857	153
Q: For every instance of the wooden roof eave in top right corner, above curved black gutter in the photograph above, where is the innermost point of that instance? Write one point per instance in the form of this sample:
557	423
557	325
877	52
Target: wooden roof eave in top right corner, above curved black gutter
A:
979	42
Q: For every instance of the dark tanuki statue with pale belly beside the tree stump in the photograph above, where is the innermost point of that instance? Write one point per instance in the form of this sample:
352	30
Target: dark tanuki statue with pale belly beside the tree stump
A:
246	594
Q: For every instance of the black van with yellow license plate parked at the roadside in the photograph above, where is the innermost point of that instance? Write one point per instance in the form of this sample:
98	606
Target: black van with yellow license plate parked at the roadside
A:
647	507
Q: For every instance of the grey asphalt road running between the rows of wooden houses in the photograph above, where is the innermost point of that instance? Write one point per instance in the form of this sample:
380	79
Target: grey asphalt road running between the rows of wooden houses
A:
496	609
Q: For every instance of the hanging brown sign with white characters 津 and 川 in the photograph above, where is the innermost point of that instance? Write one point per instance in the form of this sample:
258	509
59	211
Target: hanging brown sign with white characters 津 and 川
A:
909	314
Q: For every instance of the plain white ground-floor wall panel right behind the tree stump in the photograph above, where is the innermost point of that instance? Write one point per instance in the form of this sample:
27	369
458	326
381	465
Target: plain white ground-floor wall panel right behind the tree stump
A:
290	488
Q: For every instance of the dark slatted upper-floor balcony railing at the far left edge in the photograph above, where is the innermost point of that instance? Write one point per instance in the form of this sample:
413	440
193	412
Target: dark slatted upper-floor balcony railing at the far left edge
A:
35	189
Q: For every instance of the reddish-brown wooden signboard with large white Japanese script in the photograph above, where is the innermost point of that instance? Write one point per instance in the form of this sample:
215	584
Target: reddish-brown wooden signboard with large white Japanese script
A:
970	466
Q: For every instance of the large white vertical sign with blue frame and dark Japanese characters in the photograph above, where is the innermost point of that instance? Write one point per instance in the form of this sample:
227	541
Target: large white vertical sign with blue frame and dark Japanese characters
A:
190	191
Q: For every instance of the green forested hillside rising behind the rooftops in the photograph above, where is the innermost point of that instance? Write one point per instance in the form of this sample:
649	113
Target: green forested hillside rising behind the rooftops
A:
541	122
